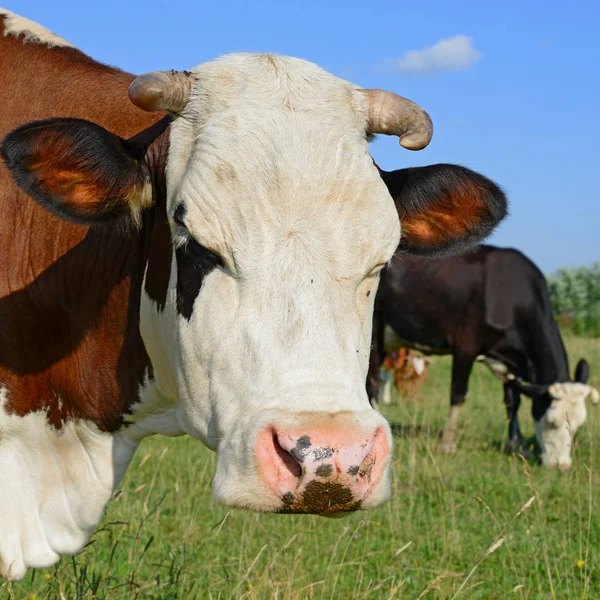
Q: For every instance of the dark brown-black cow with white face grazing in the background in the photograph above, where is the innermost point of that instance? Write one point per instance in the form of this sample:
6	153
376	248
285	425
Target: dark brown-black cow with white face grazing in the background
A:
490	305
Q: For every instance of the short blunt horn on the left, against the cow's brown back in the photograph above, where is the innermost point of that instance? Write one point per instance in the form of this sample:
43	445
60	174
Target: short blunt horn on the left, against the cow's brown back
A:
162	90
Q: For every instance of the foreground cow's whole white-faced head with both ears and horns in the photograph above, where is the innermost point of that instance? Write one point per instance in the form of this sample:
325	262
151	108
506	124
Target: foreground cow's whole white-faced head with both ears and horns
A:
257	305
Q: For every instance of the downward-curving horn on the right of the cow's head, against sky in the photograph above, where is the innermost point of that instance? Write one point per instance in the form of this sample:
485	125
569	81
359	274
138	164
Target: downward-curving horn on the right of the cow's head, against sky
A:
394	115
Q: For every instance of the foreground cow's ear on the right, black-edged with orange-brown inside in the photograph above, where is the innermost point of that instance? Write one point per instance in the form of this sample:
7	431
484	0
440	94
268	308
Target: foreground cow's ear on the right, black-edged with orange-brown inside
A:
444	208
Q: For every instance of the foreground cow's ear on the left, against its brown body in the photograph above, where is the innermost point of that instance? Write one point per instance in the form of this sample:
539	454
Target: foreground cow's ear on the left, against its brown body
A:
78	170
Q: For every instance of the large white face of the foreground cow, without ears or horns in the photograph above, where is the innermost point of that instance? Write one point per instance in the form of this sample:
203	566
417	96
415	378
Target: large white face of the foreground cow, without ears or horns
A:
265	339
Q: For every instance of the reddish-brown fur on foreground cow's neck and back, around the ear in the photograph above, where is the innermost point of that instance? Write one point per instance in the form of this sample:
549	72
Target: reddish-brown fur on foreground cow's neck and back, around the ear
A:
69	294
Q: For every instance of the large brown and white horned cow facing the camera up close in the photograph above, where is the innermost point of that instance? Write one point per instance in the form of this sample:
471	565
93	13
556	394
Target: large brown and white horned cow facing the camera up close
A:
148	243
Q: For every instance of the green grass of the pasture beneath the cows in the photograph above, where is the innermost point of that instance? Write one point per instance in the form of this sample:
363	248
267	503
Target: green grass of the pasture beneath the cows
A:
459	526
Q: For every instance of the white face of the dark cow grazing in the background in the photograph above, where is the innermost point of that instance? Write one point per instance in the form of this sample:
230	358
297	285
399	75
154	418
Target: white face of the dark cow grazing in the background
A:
565	415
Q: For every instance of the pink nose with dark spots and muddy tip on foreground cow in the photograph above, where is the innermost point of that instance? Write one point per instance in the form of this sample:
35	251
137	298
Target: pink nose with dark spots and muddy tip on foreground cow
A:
321	471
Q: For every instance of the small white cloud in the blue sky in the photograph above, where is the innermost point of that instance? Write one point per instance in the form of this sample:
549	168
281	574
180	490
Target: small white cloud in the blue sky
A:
449	54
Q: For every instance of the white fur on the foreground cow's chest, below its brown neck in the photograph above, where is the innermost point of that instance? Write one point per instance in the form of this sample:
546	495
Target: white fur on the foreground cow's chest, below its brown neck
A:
54	486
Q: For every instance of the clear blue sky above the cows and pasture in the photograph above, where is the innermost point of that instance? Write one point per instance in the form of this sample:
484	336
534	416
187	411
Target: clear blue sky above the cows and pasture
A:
516	97
